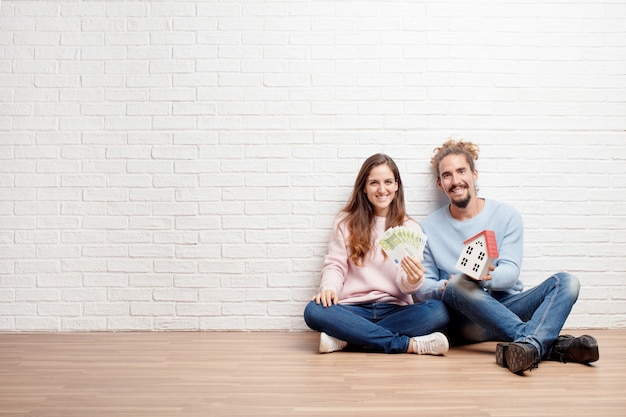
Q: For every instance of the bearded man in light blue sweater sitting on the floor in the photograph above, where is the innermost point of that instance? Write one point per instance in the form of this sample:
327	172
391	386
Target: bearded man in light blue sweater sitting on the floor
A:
494	307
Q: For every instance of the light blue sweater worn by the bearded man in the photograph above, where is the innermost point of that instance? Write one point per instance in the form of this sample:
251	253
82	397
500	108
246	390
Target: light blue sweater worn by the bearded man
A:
445	243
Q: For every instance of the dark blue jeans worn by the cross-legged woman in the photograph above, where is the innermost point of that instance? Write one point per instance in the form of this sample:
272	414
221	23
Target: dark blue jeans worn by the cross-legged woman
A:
379	327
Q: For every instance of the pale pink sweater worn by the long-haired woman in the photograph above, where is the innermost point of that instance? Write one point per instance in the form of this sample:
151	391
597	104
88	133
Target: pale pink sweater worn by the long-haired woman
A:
377	280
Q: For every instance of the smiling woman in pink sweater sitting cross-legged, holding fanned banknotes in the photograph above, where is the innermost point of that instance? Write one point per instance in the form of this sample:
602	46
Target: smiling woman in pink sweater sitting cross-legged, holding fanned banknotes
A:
364	298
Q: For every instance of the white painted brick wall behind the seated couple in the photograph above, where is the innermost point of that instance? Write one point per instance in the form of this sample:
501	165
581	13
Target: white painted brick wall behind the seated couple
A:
177	164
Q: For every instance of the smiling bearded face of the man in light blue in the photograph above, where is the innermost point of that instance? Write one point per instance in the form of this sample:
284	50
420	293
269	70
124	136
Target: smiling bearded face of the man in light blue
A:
457	180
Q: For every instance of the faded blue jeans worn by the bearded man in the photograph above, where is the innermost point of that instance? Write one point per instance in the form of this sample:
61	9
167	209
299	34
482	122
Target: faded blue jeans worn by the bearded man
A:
534	316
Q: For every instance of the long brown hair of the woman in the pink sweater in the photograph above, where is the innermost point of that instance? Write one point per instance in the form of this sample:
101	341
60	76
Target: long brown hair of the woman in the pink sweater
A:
359	211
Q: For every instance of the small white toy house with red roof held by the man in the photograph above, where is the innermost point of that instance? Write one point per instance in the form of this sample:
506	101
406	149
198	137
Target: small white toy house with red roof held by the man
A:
478	254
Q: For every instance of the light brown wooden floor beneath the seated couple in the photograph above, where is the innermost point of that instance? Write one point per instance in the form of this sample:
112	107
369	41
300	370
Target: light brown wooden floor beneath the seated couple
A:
281	374
